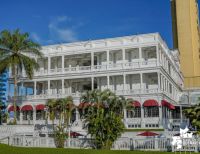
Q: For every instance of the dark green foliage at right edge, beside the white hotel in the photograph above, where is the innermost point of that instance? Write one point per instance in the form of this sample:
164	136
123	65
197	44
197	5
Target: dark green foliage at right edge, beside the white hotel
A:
193	113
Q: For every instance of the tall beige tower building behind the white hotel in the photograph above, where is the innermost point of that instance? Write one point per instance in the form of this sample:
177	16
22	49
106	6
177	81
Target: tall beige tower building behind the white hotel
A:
185	21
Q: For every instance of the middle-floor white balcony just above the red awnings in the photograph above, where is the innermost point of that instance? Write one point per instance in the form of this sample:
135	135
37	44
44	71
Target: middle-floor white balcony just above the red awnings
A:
127	85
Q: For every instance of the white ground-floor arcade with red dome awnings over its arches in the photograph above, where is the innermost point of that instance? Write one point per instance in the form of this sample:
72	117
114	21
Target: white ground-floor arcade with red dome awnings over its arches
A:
150	113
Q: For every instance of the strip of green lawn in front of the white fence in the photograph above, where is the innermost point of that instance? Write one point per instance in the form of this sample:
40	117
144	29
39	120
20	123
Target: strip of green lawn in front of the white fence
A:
4	149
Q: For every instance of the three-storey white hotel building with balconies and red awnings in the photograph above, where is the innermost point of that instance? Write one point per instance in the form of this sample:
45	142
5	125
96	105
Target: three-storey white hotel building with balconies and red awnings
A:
141	67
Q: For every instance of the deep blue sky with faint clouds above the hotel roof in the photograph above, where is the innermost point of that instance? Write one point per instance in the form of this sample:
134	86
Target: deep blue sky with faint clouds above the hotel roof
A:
58	21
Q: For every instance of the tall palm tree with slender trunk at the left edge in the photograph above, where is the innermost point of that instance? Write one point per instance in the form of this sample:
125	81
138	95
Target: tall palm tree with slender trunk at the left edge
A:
18	52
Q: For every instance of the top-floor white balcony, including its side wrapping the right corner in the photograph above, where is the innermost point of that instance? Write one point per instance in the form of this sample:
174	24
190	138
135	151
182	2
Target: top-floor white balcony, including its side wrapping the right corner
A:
125	59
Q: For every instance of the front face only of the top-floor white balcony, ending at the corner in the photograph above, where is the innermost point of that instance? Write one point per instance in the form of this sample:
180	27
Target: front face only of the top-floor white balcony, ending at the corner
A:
132	58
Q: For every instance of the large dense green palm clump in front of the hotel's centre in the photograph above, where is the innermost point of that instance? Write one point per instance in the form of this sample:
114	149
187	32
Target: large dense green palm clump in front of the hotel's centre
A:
104	117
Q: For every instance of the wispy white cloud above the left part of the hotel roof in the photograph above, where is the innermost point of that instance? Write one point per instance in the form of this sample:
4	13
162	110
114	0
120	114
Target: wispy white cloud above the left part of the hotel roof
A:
60	31
